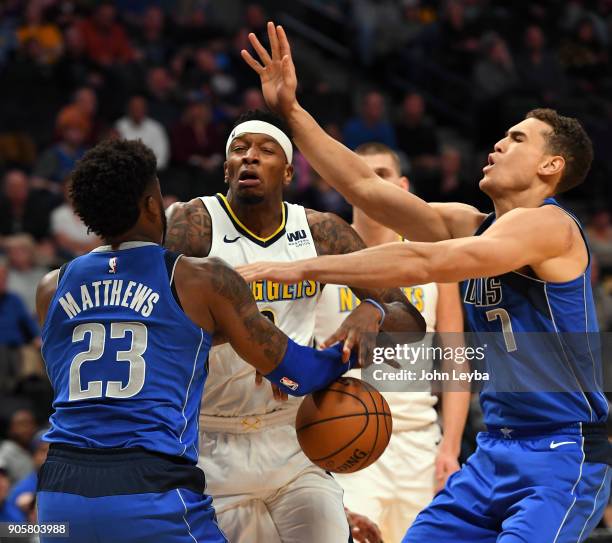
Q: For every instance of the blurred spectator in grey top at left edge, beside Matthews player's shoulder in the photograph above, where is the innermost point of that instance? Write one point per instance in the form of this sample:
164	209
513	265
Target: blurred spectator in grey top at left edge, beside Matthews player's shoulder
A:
24	273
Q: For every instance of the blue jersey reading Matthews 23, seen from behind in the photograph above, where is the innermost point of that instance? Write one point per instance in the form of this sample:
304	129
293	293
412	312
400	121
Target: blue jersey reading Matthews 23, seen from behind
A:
126	364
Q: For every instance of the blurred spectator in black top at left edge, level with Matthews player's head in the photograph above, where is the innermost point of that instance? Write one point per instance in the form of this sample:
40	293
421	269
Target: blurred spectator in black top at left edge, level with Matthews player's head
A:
21	209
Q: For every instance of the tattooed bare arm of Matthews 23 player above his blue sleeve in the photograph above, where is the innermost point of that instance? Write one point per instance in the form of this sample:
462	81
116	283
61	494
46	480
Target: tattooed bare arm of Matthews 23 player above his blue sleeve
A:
261	335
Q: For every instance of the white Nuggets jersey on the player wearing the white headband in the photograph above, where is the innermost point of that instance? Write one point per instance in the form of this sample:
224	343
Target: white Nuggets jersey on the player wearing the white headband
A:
230	388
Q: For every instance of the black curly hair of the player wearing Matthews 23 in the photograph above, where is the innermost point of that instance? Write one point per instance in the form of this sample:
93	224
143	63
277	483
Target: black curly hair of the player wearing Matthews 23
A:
108	182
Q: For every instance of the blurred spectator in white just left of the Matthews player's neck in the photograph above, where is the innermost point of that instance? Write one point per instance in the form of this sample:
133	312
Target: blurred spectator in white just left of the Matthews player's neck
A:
69	232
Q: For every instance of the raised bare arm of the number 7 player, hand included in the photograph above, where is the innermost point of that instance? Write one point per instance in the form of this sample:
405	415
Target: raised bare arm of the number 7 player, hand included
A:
344	170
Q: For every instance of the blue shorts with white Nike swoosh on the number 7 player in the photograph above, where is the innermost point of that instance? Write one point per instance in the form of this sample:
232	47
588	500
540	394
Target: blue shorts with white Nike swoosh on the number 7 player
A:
522	487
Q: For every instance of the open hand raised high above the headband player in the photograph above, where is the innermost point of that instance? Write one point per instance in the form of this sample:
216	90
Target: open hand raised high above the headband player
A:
277	72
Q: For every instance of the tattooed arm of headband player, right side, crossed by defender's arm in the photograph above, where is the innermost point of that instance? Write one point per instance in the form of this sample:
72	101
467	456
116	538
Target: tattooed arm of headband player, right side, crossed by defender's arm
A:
334	236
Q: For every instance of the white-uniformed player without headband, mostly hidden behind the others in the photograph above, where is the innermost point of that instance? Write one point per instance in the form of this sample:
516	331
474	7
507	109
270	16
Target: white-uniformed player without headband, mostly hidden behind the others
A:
416	463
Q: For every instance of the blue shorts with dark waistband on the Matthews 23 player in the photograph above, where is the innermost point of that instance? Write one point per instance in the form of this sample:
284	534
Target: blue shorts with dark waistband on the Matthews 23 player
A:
123	496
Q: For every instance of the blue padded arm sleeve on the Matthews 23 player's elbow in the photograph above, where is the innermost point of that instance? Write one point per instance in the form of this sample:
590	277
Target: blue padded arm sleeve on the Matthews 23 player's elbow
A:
304	369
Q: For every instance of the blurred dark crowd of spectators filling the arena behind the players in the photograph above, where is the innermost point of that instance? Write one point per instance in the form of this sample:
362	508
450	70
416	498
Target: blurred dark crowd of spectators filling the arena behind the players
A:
439	81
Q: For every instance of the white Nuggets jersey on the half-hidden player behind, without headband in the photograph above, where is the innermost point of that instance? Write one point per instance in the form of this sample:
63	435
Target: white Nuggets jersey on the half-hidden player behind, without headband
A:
410	410
